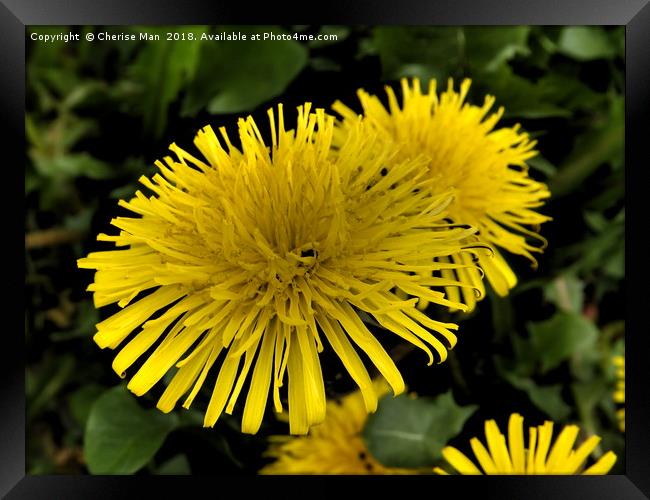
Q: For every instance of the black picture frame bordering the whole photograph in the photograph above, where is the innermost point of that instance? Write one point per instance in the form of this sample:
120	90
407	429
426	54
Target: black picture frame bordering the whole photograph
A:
16	15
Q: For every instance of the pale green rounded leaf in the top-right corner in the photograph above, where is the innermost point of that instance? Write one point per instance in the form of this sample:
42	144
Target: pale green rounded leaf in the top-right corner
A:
585	43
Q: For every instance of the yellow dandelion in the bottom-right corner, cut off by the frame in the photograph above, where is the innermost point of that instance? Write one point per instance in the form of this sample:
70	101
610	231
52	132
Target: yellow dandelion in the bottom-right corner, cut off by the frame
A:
535	458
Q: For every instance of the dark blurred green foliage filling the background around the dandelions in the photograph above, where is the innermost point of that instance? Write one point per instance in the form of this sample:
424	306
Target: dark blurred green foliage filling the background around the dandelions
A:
99	114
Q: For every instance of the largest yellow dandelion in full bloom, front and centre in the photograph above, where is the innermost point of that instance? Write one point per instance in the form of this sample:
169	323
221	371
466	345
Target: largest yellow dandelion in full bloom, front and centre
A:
252	255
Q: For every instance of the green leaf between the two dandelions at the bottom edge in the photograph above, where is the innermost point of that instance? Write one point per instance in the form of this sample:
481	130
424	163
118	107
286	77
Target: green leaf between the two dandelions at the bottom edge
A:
411	432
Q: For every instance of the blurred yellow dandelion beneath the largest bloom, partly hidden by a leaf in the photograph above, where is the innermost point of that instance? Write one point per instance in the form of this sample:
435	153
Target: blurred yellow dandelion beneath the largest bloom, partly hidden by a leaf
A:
333	447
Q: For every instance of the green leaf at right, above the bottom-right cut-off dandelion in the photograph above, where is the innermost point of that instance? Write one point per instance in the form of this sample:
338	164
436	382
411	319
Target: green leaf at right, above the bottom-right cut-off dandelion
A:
560	337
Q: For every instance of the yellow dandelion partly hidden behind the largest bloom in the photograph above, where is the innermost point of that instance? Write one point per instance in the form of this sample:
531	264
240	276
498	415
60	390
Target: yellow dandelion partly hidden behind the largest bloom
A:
485	165
